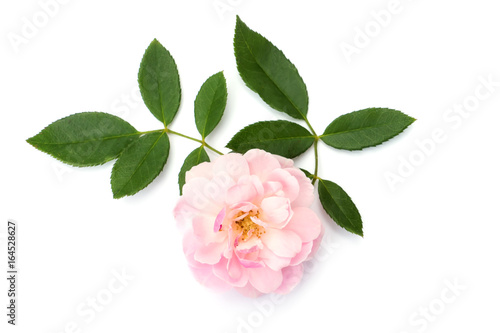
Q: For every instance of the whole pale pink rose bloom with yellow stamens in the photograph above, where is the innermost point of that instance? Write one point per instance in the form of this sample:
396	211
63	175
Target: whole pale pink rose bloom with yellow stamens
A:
247	223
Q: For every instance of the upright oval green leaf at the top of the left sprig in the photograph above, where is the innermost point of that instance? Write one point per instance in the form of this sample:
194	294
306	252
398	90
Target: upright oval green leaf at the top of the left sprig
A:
159	83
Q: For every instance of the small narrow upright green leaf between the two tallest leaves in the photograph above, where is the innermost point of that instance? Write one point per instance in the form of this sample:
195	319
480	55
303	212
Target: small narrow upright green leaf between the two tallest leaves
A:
210	104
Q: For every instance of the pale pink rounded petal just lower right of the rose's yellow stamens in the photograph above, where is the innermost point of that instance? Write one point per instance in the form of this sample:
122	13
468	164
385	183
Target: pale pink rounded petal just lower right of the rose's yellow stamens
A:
283	243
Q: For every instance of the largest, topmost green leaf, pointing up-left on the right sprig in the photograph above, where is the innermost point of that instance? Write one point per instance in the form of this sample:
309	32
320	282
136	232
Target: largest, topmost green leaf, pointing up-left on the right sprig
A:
267	71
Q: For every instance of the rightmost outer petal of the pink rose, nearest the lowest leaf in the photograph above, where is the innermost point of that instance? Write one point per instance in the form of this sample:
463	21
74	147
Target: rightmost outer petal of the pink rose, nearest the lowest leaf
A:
305	223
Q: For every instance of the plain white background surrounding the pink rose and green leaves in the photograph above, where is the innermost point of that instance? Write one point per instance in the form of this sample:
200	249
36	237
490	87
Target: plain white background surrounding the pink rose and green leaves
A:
441	224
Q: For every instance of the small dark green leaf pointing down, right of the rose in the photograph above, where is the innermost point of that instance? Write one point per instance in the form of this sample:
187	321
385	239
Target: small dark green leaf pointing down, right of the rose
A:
340	207
